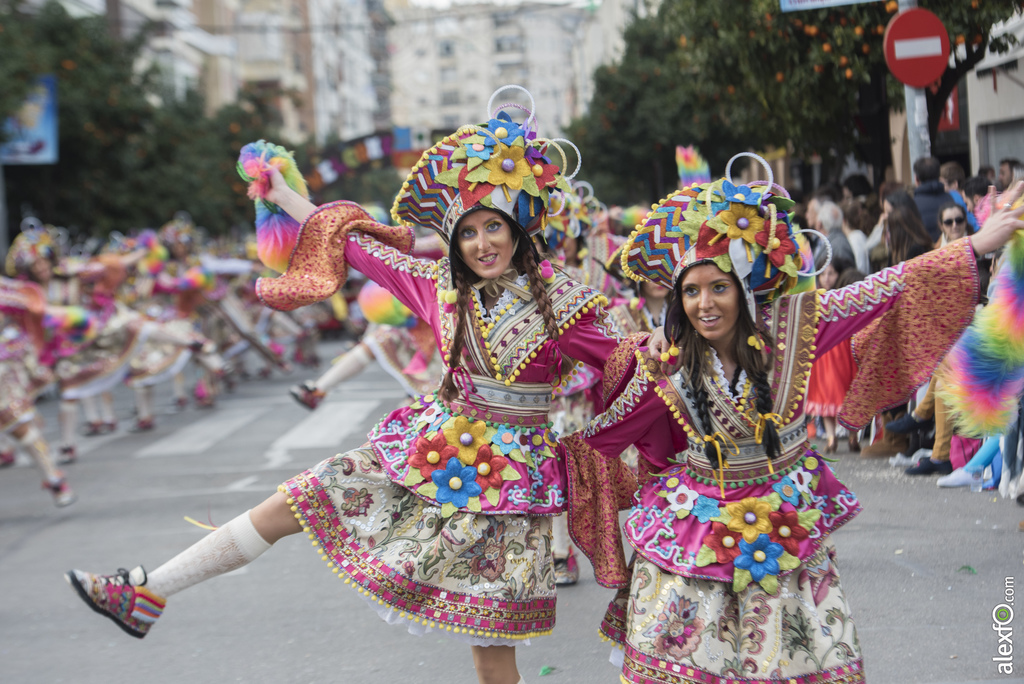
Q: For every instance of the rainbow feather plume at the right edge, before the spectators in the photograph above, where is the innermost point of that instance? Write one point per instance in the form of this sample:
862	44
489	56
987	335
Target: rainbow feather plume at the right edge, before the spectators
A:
986	374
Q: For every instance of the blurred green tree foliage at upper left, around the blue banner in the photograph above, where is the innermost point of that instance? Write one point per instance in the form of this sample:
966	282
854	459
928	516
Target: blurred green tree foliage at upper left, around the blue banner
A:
132	154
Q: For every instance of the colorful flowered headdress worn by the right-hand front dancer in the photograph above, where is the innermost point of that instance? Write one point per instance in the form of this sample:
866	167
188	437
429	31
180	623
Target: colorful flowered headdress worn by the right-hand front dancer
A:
746	230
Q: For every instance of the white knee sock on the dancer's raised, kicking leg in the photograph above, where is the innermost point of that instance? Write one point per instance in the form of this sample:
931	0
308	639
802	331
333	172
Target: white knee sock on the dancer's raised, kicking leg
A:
227	549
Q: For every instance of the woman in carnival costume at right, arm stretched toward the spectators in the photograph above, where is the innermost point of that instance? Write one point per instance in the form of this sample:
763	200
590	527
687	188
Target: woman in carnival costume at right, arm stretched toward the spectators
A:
735	577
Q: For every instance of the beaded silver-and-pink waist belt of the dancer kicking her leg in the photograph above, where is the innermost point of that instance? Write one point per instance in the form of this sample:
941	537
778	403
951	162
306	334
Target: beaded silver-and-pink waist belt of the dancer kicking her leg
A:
524	404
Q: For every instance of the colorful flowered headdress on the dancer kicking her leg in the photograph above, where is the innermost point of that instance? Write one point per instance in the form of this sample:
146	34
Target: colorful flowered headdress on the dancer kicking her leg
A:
499	165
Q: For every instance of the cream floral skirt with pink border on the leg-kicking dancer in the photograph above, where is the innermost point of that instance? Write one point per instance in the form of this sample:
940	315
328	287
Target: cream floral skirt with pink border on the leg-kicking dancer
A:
487	579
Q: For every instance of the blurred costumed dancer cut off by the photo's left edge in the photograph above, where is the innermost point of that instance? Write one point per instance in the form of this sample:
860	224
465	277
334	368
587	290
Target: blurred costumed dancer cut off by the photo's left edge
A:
29	330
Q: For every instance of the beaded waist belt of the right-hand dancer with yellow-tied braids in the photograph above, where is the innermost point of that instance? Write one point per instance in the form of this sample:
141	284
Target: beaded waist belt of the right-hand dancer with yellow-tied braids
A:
751	464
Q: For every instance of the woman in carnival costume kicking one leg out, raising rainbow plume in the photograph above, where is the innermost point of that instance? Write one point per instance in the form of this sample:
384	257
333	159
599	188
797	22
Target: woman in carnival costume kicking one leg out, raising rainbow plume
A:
473	473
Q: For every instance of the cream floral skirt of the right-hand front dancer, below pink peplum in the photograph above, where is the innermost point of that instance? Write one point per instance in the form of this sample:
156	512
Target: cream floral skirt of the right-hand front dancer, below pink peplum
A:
678	630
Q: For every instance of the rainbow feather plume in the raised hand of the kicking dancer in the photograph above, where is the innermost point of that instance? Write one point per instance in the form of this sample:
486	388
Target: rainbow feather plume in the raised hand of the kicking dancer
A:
276	231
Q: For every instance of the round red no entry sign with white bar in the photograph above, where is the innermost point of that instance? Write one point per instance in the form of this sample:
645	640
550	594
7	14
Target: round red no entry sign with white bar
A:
917	48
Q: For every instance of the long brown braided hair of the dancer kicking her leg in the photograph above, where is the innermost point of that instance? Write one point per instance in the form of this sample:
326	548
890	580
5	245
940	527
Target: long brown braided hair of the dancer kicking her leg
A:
525	261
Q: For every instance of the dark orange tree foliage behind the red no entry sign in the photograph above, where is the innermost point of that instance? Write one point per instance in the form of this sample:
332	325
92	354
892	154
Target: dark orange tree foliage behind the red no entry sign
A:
726	76
